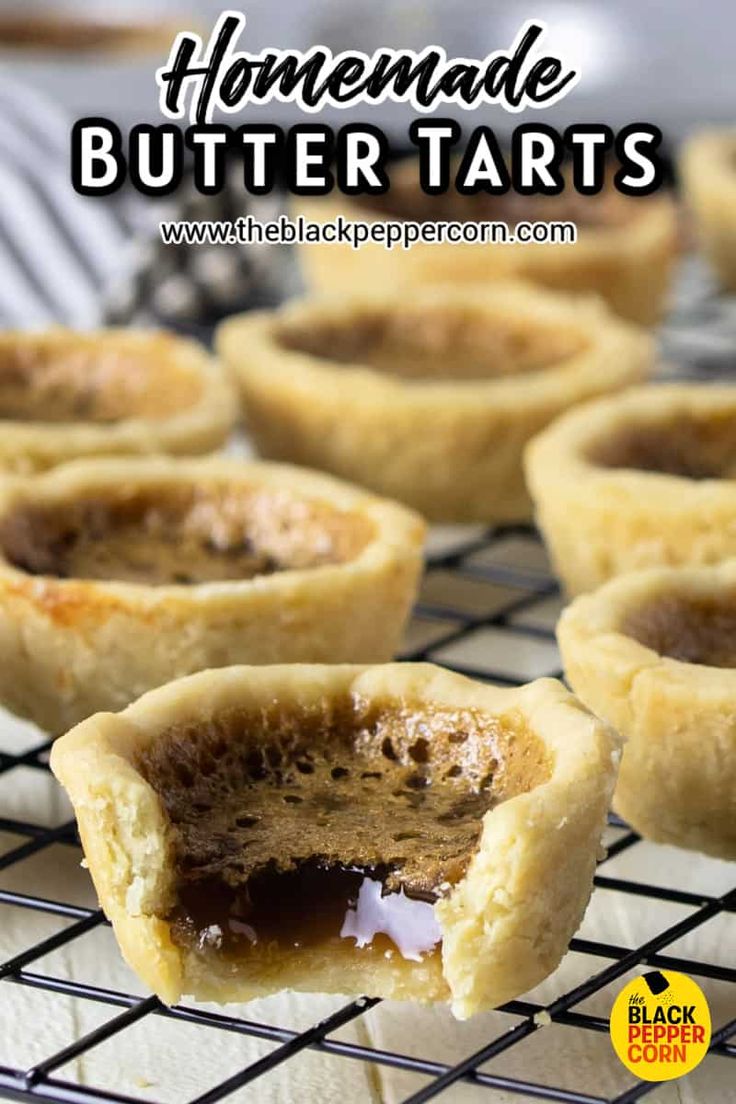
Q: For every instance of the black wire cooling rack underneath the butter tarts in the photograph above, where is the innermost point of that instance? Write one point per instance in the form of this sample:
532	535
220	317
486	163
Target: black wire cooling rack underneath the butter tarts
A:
487	609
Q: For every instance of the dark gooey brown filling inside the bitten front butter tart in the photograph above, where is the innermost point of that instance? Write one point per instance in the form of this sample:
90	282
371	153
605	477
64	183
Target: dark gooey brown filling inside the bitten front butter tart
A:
279	818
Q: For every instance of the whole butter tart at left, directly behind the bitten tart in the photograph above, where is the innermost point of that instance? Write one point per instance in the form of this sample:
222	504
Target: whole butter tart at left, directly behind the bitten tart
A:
120	576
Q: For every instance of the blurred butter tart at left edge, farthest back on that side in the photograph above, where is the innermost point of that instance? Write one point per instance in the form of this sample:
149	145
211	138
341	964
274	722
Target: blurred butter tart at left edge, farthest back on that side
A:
67	395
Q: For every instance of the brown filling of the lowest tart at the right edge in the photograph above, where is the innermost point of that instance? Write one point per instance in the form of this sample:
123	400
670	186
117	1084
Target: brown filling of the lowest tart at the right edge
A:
694	631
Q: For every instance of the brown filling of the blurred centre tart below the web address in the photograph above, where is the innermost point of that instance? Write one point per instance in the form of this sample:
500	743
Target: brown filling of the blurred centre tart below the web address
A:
424	344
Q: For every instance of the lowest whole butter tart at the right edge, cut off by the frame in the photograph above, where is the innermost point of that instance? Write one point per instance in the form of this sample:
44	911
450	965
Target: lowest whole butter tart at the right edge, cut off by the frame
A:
655	654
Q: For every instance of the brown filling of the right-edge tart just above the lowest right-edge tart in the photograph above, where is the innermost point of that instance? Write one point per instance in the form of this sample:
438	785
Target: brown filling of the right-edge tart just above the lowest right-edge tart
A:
694	448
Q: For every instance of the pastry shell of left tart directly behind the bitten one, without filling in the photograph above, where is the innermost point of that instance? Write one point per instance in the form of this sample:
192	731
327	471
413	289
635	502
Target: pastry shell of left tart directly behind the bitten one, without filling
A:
74	646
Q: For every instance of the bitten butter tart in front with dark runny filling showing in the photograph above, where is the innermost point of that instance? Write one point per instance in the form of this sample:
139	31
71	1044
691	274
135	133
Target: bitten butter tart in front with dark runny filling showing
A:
397	831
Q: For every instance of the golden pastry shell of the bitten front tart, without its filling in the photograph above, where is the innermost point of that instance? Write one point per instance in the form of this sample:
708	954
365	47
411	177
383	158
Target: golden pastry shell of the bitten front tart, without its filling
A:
505	927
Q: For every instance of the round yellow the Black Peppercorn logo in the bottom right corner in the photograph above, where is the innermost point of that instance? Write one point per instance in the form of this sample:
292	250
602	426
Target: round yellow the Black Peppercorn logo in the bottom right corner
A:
660	1026
